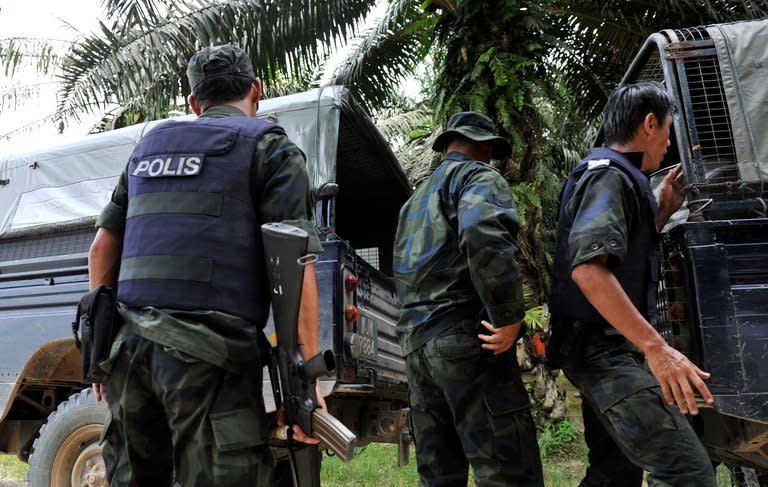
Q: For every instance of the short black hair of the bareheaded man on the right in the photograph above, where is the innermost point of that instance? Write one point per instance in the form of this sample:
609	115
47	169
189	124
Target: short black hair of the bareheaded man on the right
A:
628	106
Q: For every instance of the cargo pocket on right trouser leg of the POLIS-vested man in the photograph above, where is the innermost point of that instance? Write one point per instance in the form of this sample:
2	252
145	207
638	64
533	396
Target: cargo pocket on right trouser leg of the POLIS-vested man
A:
238	429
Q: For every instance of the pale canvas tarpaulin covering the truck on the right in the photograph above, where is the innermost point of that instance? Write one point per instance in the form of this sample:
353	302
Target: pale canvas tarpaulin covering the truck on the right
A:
742	52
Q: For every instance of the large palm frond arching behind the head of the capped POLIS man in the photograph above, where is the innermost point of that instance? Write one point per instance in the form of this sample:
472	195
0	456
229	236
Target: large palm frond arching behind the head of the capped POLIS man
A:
283	38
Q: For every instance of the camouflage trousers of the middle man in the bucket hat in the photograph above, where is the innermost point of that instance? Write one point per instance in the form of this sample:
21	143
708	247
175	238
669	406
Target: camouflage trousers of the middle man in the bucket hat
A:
470	407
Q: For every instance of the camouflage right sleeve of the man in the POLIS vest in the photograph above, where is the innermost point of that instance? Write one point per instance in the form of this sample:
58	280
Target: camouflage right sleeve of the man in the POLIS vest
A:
285	189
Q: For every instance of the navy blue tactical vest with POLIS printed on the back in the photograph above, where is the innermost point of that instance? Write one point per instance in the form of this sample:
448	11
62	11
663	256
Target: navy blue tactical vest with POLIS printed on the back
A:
192	237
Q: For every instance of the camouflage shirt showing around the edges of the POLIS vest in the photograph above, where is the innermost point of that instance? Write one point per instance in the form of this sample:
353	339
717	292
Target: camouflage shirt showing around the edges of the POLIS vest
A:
219	338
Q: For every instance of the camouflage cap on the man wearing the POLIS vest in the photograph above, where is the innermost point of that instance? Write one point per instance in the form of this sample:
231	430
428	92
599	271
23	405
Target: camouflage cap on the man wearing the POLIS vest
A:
216	61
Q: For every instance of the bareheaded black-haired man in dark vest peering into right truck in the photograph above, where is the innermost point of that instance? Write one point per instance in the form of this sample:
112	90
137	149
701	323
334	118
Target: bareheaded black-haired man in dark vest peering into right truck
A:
604	285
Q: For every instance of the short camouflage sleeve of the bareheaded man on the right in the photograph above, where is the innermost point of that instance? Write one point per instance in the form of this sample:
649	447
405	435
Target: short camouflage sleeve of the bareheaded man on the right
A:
603	205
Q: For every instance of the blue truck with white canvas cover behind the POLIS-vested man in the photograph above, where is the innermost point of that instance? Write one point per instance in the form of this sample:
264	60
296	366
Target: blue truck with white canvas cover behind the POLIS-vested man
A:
50	195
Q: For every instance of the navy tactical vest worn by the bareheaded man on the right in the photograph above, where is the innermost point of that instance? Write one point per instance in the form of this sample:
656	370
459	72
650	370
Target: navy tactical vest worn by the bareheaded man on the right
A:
638	271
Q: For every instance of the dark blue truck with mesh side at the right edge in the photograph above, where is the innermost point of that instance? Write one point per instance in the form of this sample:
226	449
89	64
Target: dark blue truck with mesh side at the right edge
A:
713	284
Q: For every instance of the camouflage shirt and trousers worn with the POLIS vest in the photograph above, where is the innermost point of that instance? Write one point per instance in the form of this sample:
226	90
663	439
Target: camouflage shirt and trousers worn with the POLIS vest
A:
185	391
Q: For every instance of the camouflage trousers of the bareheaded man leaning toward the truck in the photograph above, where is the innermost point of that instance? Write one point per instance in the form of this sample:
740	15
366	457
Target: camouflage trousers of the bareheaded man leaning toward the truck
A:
653	435
